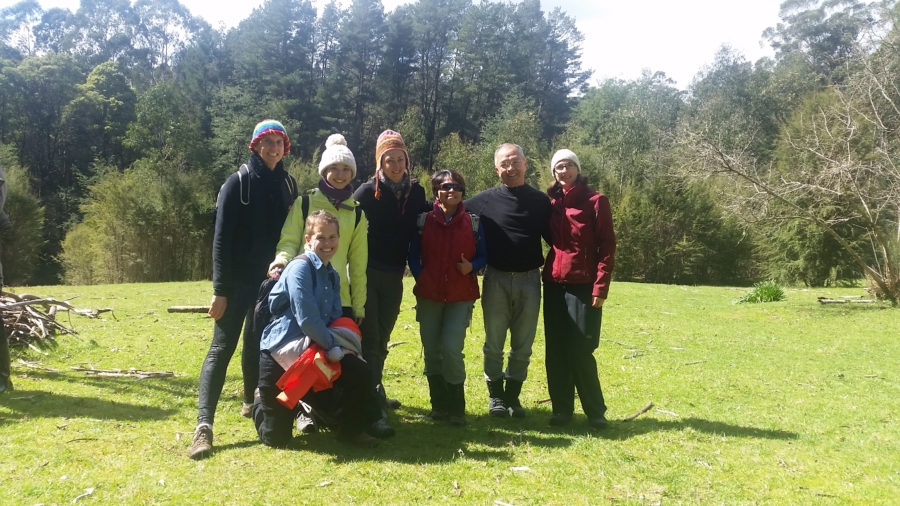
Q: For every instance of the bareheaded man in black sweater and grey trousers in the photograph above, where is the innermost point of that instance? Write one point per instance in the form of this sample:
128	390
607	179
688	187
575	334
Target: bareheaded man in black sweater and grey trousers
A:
515	216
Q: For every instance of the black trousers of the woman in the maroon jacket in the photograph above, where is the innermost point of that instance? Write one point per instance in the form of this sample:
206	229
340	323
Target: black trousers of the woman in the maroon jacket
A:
572	330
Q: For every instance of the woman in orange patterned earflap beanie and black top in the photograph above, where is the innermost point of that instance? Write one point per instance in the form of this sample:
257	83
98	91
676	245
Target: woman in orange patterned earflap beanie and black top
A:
391	200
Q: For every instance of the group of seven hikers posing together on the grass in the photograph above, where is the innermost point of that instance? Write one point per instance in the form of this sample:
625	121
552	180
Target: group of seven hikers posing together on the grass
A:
315	354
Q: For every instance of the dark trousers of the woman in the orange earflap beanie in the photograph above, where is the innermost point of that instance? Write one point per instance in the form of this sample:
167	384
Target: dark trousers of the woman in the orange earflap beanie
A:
384	292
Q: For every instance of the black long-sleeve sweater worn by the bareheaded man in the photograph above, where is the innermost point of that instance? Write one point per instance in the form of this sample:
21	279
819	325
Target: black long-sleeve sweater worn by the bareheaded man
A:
514	220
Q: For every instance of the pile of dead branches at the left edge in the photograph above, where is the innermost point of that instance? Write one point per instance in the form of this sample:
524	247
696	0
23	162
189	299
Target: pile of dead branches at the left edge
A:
30	319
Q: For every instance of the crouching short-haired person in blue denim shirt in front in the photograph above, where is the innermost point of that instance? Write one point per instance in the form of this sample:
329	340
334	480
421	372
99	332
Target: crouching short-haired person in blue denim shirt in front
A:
304	301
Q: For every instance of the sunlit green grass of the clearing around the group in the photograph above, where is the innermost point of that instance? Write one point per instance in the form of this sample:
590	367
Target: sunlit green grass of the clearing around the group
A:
781	403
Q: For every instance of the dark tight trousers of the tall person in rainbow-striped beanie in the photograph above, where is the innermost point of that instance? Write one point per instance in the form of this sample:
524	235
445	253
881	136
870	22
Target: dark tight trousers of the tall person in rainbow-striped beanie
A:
226	334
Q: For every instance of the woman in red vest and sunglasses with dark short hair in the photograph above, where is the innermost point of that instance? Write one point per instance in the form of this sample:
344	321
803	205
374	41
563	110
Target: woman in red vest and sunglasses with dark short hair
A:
444	257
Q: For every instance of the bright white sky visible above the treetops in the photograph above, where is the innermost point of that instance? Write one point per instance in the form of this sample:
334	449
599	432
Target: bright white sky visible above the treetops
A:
621	37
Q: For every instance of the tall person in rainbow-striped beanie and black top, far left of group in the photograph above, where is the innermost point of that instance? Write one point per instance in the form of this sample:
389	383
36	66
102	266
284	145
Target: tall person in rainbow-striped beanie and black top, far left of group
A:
250	210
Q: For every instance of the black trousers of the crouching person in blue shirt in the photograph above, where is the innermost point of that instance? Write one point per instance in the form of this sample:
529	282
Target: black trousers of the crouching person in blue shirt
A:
352	402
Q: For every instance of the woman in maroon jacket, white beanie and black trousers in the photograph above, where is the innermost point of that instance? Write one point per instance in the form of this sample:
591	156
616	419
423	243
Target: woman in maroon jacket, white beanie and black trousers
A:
576	282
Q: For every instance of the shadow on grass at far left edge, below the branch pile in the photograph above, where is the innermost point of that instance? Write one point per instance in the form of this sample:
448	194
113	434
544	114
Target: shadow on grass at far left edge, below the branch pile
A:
35	403
